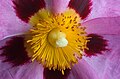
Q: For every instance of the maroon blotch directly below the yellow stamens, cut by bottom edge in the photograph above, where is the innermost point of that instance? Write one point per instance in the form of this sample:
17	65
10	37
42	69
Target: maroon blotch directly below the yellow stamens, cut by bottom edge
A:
51	74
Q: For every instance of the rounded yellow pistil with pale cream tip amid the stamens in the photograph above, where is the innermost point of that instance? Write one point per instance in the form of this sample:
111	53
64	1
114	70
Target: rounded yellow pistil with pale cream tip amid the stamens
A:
57	38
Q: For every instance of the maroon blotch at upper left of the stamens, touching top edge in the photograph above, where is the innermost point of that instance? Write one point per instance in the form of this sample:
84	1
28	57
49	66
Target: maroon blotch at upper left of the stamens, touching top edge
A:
26	8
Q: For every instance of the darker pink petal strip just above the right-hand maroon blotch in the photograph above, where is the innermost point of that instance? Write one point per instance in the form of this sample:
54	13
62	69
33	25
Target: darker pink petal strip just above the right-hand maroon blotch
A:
108	25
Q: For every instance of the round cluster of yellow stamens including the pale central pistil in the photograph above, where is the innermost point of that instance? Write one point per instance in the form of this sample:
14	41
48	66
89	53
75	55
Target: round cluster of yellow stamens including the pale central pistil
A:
56	41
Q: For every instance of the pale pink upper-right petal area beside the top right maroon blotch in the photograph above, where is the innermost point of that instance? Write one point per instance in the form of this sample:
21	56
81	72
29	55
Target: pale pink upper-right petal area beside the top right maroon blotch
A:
105	8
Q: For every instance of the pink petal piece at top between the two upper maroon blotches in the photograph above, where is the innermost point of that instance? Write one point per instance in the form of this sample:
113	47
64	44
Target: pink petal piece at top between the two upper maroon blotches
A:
56	6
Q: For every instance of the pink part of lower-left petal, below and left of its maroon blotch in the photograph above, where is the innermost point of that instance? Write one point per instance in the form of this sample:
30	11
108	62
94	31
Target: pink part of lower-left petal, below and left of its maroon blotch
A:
28	71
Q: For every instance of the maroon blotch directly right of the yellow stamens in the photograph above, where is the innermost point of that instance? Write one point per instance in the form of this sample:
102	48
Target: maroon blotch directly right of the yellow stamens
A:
97	44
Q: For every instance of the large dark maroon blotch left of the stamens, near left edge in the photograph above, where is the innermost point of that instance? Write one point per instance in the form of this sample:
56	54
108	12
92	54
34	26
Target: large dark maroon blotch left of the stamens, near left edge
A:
14	51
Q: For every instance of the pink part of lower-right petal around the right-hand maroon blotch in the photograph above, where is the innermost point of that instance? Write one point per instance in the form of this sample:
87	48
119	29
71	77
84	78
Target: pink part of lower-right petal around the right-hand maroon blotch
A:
107	66
